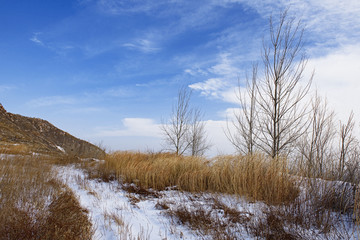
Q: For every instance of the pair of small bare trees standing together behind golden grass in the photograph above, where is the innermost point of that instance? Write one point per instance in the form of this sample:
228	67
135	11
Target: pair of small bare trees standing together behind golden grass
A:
185	130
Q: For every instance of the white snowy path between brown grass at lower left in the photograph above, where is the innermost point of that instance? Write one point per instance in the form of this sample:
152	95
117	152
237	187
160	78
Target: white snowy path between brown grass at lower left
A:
114	216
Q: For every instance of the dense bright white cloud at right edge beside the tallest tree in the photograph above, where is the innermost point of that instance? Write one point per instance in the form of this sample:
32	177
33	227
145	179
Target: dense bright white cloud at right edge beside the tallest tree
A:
337	76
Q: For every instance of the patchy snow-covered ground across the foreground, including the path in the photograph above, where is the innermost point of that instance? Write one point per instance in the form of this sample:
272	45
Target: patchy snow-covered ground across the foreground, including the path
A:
119	214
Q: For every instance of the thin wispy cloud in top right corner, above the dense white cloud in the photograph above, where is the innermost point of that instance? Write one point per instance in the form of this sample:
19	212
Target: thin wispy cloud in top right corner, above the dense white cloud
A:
329	23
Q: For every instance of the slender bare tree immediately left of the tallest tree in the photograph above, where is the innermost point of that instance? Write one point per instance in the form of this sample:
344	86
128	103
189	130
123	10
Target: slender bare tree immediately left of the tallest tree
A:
244	137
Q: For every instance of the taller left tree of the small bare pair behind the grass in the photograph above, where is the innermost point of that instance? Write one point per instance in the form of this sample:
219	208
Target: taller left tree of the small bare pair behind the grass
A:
176	130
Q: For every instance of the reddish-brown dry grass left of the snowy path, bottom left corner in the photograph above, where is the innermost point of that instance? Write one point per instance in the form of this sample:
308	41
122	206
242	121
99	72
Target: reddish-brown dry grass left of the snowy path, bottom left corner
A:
34	205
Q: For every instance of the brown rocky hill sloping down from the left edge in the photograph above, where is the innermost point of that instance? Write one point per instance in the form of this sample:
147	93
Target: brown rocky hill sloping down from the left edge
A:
40	136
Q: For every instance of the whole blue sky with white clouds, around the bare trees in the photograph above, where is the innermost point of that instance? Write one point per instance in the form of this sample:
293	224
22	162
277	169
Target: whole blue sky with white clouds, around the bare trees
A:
108	70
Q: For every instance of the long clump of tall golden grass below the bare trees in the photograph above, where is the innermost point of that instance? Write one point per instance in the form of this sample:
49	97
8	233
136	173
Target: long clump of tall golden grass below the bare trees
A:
256	177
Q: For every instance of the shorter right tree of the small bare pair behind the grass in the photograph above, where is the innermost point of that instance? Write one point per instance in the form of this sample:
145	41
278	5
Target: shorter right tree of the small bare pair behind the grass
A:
197	134
